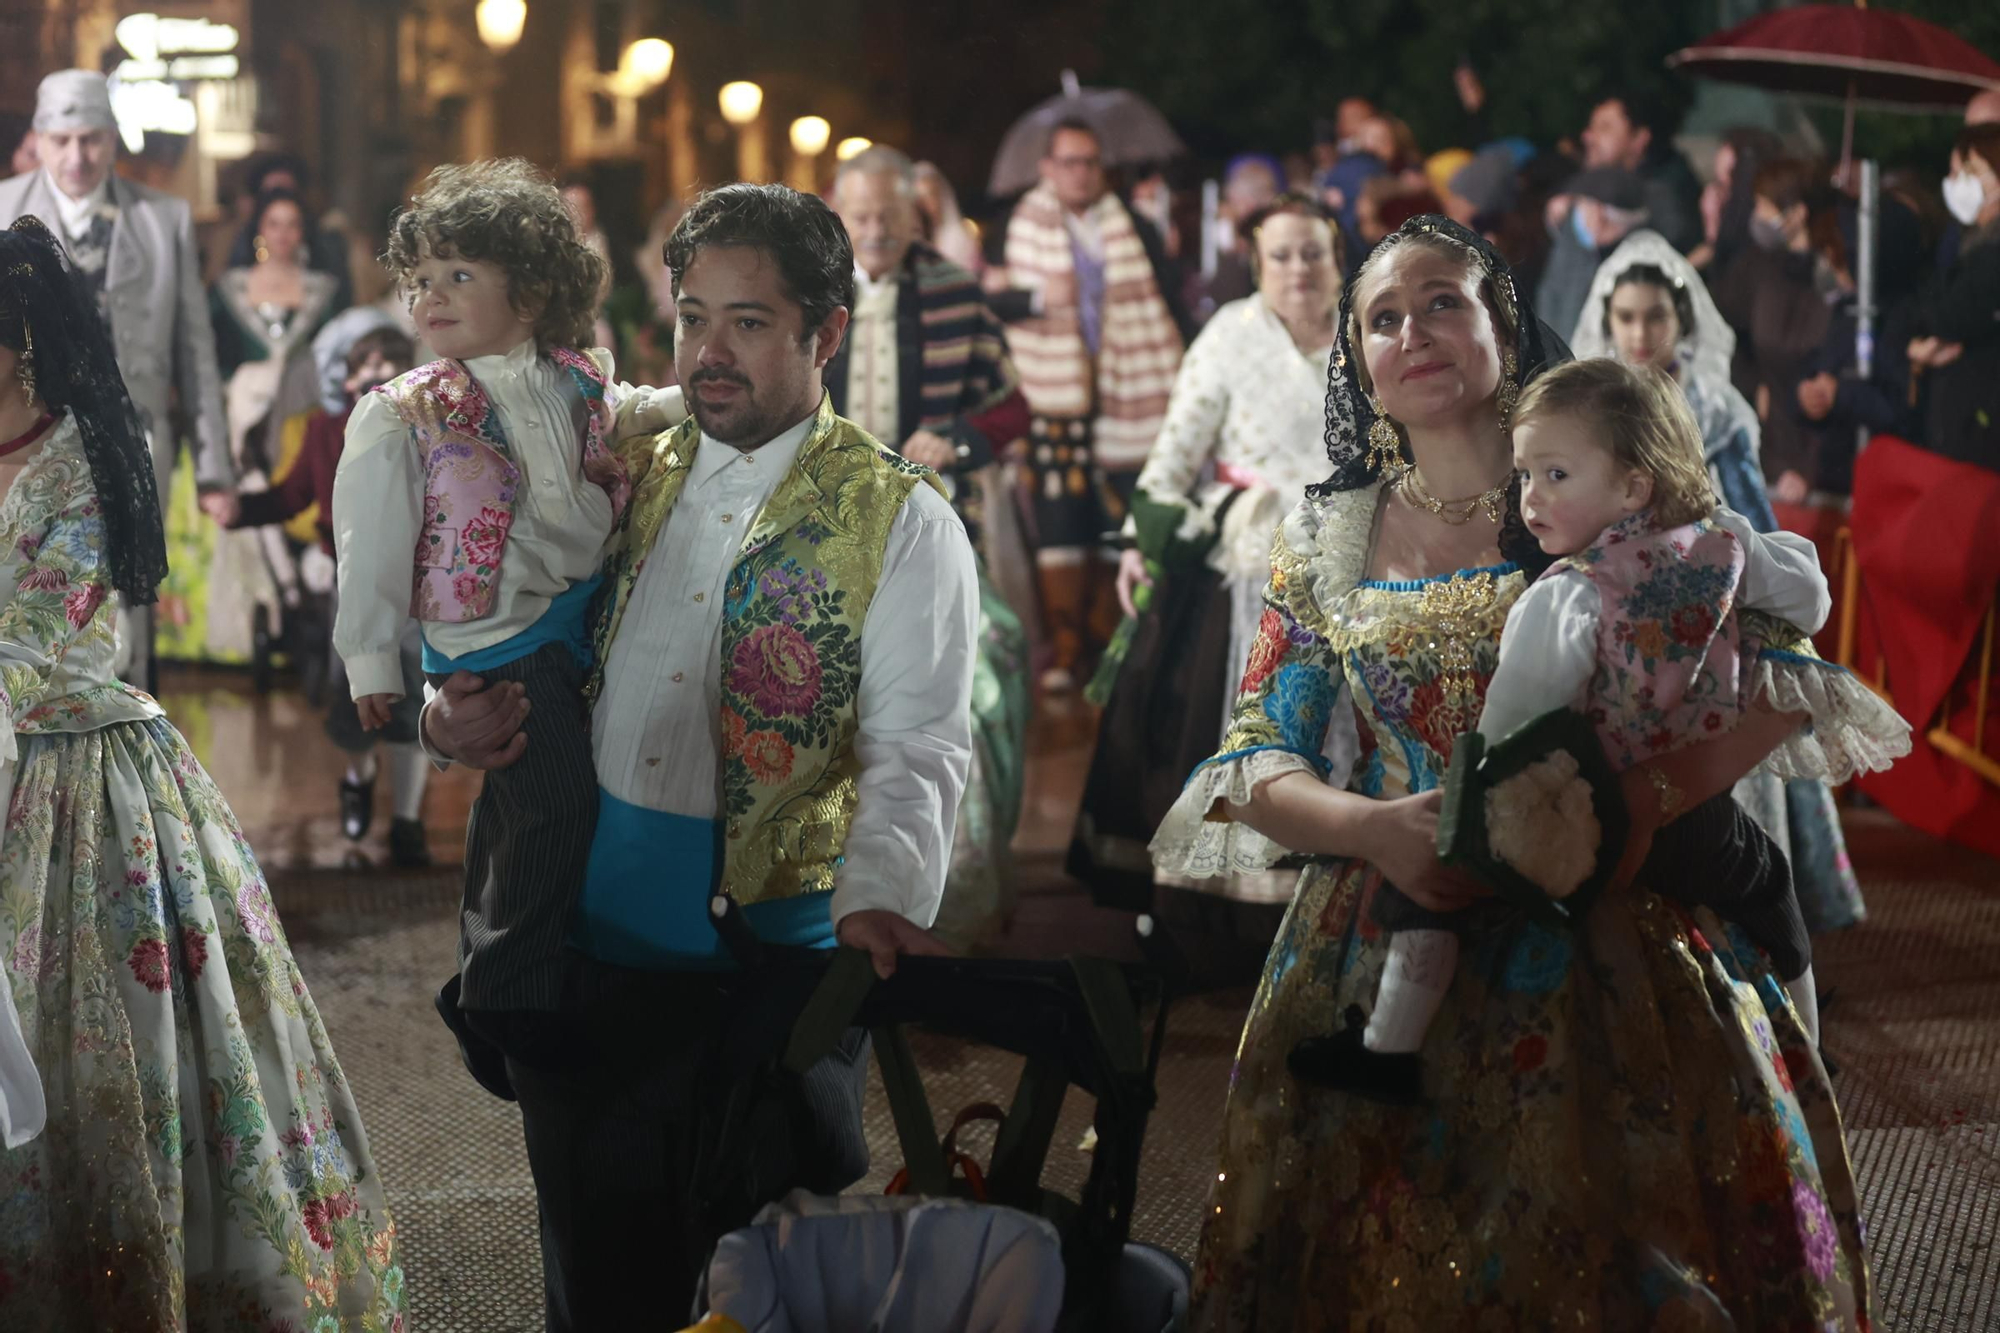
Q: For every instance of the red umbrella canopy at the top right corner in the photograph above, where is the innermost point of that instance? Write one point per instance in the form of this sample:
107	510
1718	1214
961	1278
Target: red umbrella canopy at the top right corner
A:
1847	53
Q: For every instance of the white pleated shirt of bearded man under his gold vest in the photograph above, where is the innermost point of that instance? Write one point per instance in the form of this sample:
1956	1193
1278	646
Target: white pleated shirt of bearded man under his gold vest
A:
659	720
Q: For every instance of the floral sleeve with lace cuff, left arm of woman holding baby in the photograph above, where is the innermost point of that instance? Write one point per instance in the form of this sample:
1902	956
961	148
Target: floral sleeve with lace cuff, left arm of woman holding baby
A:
1289	720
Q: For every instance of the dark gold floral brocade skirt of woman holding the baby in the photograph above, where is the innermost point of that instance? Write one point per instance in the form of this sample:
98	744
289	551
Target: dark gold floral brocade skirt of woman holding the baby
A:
1625	1128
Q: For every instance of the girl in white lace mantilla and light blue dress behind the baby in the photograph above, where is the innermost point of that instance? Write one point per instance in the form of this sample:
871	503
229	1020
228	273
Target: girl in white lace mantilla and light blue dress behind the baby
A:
1649	305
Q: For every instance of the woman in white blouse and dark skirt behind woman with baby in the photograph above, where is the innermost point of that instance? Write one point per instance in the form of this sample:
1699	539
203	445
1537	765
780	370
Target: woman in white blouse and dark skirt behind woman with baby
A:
1239	447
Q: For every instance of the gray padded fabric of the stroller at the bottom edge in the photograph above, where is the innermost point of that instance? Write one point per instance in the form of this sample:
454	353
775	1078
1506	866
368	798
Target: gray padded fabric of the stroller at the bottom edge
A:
887	1266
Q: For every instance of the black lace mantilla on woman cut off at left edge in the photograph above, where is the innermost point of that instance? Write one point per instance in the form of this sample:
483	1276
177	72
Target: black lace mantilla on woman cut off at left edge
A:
49	319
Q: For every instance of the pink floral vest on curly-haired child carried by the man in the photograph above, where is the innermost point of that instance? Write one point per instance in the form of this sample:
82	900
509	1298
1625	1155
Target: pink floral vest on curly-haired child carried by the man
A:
471	479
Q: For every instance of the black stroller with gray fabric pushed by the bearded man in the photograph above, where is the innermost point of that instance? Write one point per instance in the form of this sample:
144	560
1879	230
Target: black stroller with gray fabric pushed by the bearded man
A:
985	1252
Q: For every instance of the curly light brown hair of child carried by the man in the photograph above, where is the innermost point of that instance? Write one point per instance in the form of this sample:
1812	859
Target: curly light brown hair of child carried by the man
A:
505	213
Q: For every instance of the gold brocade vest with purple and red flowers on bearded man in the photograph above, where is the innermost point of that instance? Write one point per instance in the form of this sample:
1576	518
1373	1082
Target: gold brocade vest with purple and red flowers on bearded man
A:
793	617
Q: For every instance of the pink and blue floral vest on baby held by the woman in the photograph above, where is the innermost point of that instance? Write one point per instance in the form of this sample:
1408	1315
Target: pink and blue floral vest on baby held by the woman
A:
1671	663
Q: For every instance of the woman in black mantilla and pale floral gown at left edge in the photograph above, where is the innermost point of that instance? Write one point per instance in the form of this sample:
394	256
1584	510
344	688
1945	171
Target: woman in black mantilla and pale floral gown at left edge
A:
203	1162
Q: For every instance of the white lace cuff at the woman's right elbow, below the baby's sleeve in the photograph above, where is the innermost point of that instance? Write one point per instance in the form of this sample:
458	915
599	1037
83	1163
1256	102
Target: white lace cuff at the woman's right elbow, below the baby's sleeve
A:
1851	730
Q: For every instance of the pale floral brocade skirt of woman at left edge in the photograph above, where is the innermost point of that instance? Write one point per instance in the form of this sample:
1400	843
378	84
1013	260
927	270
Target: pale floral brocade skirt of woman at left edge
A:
203	1166
